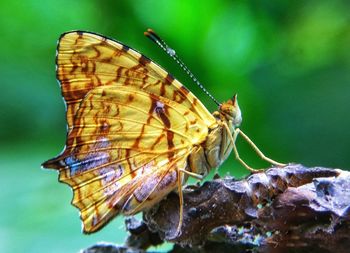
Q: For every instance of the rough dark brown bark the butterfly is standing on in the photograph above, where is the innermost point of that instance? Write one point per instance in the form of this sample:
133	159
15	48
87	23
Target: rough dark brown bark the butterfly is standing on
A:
290	209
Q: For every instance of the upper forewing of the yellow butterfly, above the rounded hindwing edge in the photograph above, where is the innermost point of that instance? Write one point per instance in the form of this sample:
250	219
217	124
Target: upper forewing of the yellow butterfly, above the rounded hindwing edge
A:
87	60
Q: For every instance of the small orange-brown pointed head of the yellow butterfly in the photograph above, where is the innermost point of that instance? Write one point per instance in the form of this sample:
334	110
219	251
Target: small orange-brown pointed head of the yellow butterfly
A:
230	112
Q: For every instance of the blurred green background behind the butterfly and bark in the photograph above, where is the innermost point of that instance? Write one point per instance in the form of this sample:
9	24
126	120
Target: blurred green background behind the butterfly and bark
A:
289	61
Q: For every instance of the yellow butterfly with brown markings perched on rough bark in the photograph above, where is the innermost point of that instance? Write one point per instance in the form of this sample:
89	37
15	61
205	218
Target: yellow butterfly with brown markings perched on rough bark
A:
134	132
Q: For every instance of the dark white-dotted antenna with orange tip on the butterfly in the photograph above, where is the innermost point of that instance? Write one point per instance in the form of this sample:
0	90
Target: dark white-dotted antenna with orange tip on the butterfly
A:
171	52
